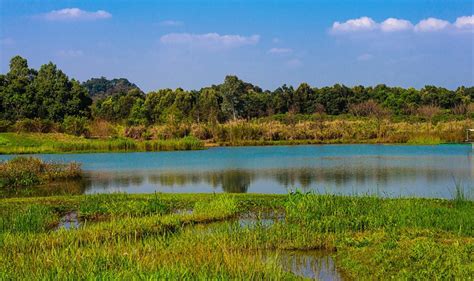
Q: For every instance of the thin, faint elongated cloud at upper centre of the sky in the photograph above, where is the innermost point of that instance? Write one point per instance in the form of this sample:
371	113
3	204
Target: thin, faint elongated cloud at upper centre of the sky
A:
209	40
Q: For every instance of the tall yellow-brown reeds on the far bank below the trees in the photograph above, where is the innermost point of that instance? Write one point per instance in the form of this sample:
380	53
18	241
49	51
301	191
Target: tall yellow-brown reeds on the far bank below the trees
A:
366	130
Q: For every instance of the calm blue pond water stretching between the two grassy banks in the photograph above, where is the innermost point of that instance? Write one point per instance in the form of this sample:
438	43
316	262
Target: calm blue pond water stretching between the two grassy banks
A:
387	170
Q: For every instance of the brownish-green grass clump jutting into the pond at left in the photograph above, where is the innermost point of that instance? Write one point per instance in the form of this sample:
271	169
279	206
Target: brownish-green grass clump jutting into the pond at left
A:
28	171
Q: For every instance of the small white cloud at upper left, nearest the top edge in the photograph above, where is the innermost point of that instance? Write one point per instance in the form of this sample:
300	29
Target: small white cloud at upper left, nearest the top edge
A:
75	14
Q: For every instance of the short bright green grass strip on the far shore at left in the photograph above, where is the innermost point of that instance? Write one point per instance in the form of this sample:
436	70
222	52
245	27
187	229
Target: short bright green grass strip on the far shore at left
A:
28	143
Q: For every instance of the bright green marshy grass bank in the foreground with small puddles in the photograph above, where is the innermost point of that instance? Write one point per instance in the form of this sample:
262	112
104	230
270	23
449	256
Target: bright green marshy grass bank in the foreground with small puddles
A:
203	236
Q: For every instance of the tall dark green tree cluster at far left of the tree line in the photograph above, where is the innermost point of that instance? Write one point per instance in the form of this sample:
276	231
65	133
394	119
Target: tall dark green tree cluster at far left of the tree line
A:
45	94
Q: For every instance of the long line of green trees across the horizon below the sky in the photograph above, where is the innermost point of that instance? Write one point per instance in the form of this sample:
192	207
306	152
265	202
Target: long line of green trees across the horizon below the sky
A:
49	94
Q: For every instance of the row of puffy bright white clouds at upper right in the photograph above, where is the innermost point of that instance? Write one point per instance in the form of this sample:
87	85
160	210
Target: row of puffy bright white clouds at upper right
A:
366	24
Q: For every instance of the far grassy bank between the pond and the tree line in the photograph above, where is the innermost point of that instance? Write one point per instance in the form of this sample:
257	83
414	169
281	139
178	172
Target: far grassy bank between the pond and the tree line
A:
240	133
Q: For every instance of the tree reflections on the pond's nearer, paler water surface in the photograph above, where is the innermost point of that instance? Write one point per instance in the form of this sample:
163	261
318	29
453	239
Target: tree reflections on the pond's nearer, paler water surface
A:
385	181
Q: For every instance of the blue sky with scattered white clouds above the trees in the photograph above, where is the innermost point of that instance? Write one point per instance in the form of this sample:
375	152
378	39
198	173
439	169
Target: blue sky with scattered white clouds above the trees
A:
192	44
